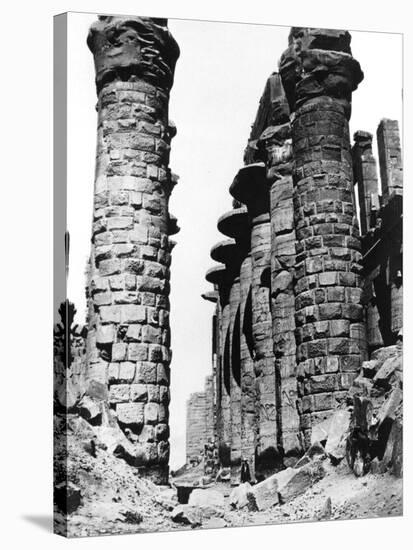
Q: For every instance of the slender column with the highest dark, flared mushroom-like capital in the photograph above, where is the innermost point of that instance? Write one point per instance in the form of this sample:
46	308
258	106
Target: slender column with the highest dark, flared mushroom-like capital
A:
251	188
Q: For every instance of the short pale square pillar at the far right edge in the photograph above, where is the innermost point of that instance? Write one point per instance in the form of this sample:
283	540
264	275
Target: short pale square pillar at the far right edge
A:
390	158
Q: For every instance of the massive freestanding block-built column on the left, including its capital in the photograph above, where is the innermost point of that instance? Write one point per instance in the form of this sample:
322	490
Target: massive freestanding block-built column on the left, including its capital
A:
129	326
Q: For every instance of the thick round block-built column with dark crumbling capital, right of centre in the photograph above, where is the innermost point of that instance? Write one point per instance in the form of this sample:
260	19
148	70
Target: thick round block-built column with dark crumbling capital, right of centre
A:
319	75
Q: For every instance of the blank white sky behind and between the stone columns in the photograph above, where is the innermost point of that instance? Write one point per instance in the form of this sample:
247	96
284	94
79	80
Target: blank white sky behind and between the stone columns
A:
219	79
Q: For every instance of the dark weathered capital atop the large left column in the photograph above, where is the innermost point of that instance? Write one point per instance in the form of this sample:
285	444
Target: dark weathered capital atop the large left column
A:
132	48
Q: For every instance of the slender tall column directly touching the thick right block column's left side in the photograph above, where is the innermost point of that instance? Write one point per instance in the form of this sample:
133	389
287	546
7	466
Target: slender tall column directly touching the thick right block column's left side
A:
277	152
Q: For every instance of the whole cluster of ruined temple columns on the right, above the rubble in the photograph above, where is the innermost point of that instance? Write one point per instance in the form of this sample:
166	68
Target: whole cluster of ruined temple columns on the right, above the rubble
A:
308	279
